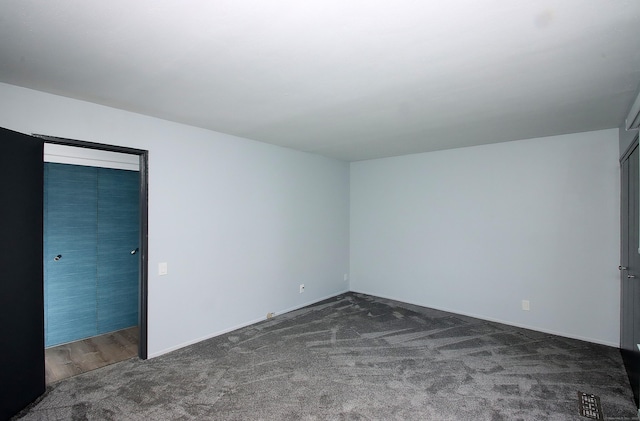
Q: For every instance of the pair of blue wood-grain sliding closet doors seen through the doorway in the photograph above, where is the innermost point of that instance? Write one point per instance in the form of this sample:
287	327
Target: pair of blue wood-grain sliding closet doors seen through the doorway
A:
92	223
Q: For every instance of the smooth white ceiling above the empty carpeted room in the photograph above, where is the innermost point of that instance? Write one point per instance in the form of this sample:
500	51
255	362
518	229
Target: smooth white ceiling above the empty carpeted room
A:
354	79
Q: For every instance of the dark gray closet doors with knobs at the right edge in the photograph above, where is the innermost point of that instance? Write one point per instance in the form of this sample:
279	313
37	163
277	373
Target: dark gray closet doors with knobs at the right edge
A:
630	265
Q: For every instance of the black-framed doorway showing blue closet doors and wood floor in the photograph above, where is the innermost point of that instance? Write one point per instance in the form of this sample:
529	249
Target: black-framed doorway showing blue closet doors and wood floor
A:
94	254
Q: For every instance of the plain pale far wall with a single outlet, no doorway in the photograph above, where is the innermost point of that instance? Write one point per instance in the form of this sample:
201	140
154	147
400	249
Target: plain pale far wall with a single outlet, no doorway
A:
477	230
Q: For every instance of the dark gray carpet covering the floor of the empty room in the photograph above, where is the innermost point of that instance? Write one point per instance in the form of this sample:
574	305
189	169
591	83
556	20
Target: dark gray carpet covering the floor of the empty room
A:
354	357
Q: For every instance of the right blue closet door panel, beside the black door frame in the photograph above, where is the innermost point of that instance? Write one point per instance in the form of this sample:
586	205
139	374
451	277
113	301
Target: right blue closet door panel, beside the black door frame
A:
118	236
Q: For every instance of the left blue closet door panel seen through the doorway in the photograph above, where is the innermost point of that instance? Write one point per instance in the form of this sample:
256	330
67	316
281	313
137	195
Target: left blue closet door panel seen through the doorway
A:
70	233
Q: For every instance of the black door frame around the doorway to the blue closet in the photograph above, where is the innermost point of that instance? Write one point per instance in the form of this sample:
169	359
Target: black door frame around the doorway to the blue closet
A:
144	224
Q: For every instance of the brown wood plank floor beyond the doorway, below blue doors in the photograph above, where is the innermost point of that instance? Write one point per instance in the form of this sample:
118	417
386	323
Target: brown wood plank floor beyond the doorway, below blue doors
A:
78	357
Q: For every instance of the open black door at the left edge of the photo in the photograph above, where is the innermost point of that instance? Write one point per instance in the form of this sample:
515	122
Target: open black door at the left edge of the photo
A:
21	298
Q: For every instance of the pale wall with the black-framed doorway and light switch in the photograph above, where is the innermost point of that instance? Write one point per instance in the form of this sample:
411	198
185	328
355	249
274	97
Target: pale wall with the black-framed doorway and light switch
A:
240	223
